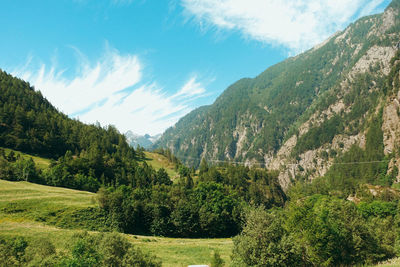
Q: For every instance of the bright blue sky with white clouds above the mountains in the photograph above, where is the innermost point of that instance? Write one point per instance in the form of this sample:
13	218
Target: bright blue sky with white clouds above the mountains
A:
140	65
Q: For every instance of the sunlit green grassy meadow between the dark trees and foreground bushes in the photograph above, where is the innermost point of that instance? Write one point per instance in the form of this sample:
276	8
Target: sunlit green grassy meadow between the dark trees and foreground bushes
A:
23	204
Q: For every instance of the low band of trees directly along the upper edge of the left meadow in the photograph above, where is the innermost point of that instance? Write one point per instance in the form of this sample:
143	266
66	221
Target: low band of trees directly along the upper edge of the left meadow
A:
86	172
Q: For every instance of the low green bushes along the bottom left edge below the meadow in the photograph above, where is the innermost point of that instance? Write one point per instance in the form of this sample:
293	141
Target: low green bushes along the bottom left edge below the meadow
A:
107	249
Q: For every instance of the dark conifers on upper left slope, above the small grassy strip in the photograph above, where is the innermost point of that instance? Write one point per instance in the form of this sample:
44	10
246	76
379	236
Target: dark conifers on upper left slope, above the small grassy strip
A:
31	124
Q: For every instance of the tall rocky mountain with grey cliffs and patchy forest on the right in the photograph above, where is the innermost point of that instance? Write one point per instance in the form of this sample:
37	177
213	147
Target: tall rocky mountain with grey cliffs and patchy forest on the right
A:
305	113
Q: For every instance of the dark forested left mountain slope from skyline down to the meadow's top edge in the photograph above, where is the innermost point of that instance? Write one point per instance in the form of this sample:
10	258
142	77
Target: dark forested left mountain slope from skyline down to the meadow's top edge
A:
83	156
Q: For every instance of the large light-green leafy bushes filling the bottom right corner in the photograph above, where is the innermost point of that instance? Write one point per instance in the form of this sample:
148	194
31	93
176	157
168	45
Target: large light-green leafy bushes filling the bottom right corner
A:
315	231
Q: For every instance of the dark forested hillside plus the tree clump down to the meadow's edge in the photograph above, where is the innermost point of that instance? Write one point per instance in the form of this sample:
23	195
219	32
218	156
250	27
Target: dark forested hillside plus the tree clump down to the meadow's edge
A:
133	197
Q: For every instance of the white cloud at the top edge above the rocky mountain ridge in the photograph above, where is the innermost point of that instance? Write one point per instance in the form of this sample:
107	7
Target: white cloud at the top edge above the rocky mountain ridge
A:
296	24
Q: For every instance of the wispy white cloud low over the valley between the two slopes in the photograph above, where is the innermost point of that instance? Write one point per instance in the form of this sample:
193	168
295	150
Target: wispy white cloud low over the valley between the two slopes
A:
109	92
